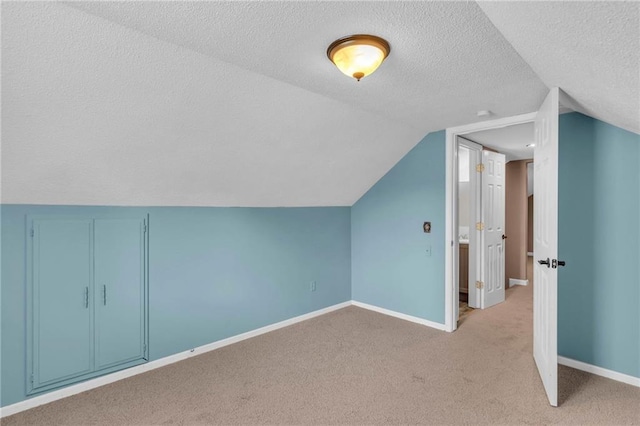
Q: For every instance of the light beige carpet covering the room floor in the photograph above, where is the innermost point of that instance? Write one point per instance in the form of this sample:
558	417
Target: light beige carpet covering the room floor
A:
358	367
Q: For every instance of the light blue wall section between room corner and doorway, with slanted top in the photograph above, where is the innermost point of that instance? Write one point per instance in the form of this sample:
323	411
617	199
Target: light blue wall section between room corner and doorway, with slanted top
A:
390	265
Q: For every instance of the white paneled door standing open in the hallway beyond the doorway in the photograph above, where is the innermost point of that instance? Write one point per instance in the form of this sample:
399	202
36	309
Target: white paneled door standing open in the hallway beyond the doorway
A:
493	196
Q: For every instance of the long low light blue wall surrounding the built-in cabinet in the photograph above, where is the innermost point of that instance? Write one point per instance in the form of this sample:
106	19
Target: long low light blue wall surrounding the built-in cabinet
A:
213	273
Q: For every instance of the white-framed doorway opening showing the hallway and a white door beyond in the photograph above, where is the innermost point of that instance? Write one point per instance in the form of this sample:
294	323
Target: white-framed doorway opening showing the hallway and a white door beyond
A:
481	263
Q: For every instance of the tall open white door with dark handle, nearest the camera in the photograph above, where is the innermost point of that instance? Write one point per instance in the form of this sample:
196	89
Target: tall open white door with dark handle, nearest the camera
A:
545	245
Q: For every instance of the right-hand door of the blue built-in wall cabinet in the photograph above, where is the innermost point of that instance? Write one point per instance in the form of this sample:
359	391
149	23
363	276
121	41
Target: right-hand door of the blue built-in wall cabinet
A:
120	291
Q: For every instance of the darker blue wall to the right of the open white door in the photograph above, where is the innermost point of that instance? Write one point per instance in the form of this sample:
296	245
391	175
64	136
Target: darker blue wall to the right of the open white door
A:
599	237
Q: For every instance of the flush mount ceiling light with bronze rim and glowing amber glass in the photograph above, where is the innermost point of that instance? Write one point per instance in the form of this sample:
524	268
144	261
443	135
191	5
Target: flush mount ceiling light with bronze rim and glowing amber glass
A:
358	55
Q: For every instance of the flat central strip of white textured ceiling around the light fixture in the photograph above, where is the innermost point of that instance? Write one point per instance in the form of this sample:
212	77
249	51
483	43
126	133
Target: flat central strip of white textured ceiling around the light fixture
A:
447	59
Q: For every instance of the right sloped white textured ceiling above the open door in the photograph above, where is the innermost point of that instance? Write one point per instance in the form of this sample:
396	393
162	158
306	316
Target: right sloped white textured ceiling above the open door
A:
591	50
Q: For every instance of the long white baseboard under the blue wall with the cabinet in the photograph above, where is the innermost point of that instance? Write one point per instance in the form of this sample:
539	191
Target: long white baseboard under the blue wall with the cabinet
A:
139	369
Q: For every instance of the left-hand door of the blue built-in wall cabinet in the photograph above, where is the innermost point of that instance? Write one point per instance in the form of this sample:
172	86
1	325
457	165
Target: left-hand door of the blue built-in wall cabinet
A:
62	337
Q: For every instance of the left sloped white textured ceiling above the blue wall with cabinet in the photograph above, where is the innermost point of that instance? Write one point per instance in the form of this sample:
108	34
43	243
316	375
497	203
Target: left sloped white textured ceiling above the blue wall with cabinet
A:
94	113
